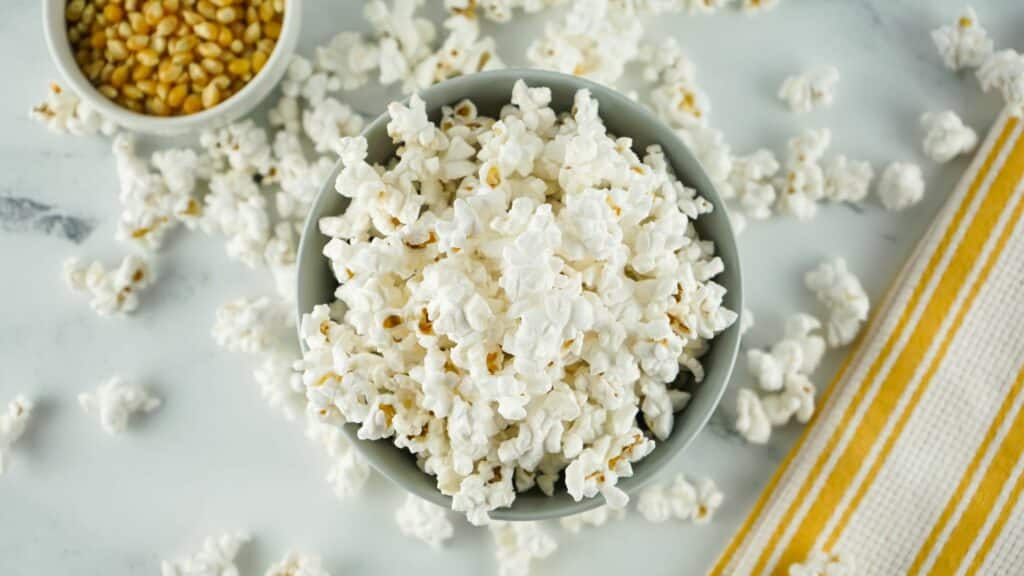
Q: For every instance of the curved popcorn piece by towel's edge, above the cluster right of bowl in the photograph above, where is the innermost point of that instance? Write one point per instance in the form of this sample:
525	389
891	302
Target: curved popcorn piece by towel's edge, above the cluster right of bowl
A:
842	294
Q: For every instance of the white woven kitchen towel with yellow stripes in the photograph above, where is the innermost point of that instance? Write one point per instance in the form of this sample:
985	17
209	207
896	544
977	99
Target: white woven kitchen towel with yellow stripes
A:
914	465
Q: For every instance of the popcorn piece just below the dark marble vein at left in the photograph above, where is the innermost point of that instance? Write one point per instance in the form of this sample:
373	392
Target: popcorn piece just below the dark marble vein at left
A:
114	292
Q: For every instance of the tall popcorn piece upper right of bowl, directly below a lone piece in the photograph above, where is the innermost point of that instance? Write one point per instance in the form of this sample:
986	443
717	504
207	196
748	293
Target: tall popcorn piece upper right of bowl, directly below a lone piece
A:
803	183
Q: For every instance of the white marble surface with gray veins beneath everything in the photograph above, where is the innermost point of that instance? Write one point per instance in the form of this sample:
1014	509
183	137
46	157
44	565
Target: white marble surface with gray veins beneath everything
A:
216	459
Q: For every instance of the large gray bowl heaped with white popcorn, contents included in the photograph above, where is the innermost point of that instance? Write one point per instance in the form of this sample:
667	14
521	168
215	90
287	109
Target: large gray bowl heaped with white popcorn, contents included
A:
519	295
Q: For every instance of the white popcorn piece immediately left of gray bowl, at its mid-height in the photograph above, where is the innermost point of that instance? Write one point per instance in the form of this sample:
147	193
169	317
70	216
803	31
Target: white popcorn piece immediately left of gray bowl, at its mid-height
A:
247	325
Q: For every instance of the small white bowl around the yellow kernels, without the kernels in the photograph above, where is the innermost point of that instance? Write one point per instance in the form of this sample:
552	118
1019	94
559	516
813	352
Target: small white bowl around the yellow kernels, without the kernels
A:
232	109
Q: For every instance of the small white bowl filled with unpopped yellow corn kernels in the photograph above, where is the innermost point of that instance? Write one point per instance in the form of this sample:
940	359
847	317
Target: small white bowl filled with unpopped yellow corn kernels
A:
173	66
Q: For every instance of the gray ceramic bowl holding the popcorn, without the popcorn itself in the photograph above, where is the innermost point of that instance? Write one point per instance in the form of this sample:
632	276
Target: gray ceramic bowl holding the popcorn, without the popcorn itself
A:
491	91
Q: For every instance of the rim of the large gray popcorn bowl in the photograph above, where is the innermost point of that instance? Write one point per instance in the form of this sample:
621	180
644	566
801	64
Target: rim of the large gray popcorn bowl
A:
726	249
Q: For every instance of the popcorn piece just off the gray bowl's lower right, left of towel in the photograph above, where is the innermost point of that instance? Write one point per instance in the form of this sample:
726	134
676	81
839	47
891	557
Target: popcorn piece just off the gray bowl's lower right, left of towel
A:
681	501
